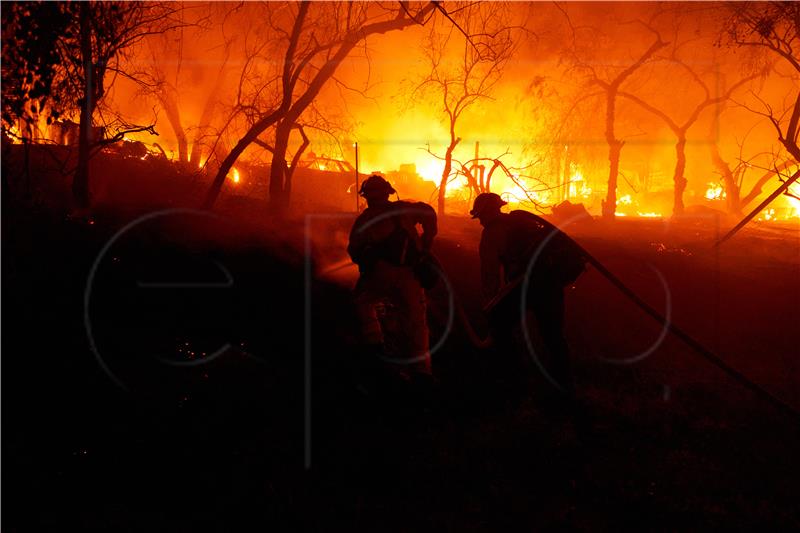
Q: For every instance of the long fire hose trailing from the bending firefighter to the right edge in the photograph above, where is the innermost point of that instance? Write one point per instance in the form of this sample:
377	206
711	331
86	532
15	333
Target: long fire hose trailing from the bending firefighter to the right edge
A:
678	332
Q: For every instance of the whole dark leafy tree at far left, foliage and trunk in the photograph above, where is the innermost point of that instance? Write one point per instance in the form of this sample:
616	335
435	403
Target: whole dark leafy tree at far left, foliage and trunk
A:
62	58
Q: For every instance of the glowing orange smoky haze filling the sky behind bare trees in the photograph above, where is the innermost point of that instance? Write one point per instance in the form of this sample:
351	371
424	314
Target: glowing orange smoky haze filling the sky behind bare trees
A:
544	116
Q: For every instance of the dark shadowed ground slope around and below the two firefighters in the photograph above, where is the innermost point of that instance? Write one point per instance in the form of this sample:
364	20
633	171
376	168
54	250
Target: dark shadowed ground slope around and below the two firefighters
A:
157	430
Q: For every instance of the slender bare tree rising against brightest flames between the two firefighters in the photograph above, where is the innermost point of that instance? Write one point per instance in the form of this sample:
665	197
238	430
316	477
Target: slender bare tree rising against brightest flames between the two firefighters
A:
485	44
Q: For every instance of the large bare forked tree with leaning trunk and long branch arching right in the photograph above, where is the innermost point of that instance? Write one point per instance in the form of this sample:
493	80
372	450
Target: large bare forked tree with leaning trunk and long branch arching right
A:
312	40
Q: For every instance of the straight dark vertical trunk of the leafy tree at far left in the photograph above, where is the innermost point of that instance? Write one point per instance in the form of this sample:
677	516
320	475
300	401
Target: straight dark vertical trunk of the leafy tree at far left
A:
80	183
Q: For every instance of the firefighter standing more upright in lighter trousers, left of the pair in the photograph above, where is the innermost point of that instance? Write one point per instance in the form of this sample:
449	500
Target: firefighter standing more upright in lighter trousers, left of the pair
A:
387	248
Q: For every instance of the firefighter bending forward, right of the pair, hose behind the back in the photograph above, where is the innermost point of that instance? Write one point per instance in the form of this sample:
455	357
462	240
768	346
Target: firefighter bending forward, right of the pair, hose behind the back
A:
516	247
